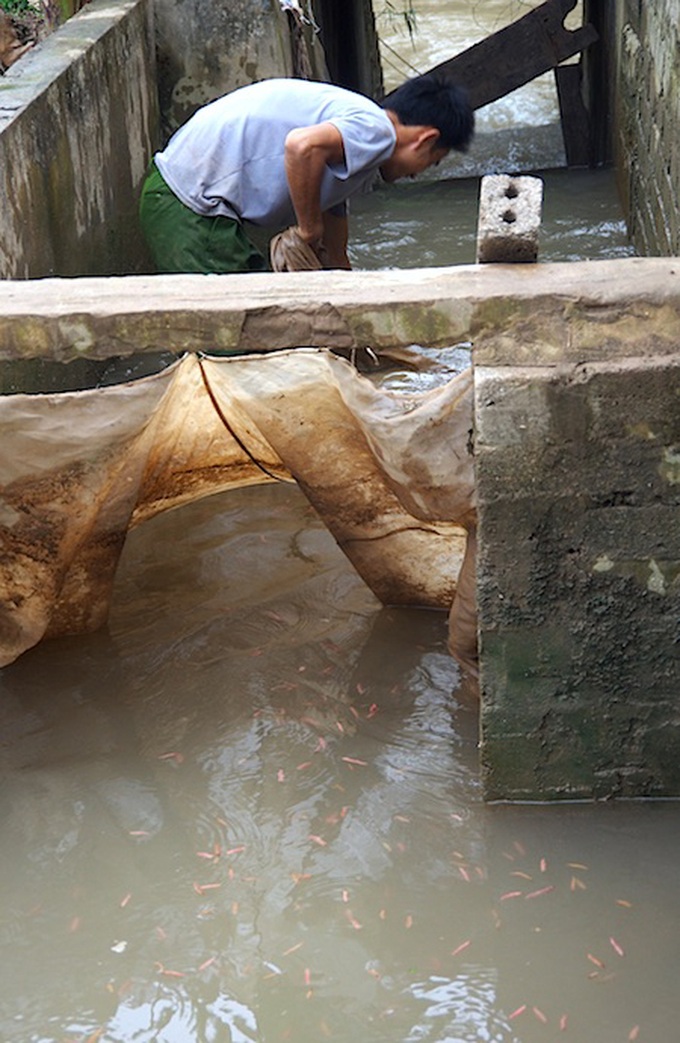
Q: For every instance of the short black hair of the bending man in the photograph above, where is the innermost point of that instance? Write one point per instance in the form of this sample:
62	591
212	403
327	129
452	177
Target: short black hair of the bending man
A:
429	101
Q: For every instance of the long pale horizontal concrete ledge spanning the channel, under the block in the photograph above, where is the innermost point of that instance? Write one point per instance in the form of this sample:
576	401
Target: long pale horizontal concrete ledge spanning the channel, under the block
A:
556	314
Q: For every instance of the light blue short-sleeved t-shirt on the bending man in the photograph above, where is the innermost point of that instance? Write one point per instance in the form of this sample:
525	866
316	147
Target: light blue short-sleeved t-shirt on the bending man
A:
229	158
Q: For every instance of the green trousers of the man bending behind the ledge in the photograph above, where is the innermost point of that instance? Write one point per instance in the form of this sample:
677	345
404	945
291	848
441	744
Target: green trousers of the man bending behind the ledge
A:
182	241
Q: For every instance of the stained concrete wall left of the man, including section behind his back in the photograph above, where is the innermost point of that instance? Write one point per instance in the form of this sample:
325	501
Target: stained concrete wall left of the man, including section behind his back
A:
81	117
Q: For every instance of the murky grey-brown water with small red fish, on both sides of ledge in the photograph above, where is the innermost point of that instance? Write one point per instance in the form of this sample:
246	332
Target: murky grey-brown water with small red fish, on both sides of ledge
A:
251	810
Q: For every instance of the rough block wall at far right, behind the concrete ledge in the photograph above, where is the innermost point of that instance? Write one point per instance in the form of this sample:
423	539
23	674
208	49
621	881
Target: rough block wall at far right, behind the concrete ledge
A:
647	122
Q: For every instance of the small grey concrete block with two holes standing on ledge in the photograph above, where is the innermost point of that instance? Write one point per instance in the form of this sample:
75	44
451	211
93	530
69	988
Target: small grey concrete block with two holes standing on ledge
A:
509	220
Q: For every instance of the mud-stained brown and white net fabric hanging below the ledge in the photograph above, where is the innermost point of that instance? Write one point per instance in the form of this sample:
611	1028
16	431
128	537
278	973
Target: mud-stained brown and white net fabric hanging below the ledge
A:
390	474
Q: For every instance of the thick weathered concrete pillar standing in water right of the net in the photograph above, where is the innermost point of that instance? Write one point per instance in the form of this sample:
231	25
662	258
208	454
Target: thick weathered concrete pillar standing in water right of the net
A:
578	472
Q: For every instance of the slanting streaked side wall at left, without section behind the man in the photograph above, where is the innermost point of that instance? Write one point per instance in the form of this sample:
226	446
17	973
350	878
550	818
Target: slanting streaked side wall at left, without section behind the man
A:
79	120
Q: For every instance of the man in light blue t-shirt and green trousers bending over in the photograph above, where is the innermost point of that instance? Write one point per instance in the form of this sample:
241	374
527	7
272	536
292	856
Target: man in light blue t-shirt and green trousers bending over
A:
283	153
